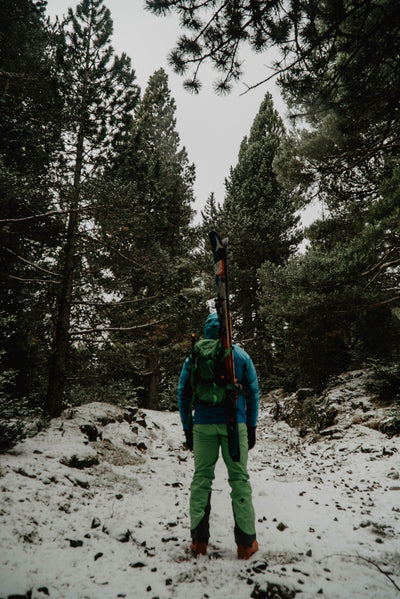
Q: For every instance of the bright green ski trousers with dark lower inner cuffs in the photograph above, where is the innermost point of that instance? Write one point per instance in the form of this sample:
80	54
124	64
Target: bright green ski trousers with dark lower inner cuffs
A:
207	439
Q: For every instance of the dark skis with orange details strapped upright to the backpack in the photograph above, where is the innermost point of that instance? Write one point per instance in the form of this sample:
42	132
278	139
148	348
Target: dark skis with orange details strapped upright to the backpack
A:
221	278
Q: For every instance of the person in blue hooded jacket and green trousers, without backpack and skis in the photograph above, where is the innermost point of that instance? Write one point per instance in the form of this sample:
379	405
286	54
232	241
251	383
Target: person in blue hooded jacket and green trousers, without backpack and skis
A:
207	434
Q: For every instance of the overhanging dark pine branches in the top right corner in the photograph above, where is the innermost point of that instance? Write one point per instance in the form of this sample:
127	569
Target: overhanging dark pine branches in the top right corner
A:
332	55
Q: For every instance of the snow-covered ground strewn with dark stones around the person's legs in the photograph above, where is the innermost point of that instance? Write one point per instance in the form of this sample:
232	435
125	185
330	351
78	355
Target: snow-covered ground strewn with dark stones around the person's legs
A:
108	518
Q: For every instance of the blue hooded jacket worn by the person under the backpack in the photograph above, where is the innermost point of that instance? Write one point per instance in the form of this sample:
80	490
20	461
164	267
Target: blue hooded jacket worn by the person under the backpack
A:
247	404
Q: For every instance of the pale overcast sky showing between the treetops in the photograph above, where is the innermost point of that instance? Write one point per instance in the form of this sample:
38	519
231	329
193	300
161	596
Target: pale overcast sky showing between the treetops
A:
210	127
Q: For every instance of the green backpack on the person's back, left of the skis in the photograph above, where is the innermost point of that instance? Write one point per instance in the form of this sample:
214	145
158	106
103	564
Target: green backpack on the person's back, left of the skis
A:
207	371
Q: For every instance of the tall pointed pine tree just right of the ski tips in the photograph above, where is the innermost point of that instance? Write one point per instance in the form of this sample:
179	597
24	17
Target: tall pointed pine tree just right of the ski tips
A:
260	220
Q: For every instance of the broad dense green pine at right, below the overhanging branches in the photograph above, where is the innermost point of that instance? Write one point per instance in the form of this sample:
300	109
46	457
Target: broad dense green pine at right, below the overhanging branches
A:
334	307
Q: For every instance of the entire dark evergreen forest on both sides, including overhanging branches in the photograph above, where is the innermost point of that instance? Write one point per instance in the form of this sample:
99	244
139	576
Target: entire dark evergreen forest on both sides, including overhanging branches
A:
101	268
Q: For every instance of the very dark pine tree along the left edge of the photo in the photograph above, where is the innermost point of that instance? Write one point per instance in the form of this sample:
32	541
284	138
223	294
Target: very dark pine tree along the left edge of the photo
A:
29	131
